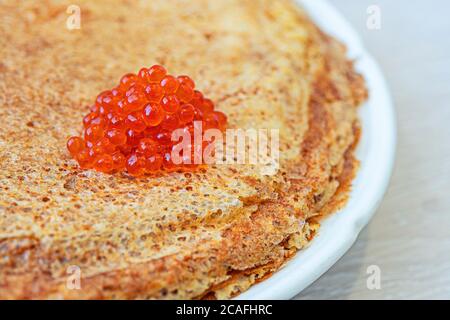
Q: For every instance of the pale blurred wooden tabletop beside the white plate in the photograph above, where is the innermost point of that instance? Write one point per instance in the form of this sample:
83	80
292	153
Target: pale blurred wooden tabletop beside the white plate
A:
409	237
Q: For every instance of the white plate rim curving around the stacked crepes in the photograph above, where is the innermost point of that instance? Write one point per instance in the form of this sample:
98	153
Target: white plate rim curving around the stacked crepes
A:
376	153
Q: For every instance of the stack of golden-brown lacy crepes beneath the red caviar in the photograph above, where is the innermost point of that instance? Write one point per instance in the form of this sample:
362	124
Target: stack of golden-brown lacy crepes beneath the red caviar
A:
206	234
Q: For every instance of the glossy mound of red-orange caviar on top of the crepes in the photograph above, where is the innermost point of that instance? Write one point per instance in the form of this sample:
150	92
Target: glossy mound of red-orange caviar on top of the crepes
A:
129	127
